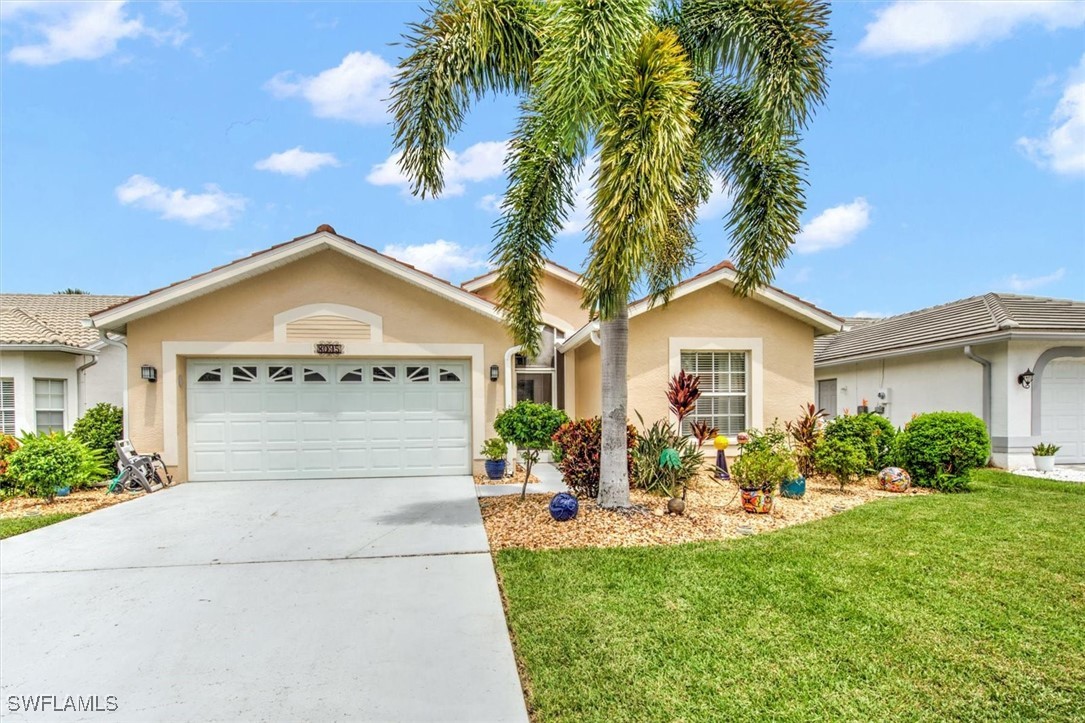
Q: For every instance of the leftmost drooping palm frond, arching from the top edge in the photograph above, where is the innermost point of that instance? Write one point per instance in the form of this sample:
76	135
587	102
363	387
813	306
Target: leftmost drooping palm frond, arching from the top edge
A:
462	52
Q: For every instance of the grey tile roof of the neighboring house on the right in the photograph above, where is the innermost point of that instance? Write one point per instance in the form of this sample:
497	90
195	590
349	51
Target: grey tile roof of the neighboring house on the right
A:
961	321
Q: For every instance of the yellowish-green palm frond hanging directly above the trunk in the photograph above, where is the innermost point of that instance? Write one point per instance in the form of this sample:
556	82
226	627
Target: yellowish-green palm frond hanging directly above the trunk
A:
645	142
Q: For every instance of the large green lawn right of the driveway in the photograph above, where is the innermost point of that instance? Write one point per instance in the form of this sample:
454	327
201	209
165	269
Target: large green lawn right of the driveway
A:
967	606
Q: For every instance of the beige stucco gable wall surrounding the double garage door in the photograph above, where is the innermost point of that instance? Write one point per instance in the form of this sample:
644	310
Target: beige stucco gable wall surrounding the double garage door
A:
245	313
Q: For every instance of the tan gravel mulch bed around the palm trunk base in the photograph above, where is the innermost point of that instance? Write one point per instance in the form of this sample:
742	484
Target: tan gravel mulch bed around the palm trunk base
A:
713	512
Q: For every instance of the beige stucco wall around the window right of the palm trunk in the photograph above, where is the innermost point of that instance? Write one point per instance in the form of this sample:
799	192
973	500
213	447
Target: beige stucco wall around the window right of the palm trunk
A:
714	313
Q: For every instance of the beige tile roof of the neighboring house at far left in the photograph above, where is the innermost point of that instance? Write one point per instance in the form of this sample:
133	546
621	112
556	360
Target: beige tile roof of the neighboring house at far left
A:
49	320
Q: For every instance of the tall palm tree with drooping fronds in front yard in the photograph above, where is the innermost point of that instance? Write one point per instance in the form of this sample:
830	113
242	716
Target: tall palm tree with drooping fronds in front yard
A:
669	96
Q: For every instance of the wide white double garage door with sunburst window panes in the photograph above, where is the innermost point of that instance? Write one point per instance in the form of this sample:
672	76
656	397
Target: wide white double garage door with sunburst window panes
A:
291	420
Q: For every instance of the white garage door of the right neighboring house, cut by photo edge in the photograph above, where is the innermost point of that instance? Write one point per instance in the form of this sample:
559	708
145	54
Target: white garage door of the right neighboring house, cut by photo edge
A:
1063	409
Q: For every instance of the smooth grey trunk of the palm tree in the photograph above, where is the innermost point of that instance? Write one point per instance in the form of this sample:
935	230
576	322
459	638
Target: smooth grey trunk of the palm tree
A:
614	467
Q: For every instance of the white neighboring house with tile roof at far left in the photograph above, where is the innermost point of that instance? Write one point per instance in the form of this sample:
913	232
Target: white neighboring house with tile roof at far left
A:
53	367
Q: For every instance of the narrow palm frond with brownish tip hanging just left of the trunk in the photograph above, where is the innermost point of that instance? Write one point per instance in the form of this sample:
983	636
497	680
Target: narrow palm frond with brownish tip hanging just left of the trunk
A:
537	204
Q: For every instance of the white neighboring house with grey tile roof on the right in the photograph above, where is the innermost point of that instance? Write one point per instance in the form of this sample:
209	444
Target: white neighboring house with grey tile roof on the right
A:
971	356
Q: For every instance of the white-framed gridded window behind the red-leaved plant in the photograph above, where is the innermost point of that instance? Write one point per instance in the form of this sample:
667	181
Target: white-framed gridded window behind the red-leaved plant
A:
724	390
